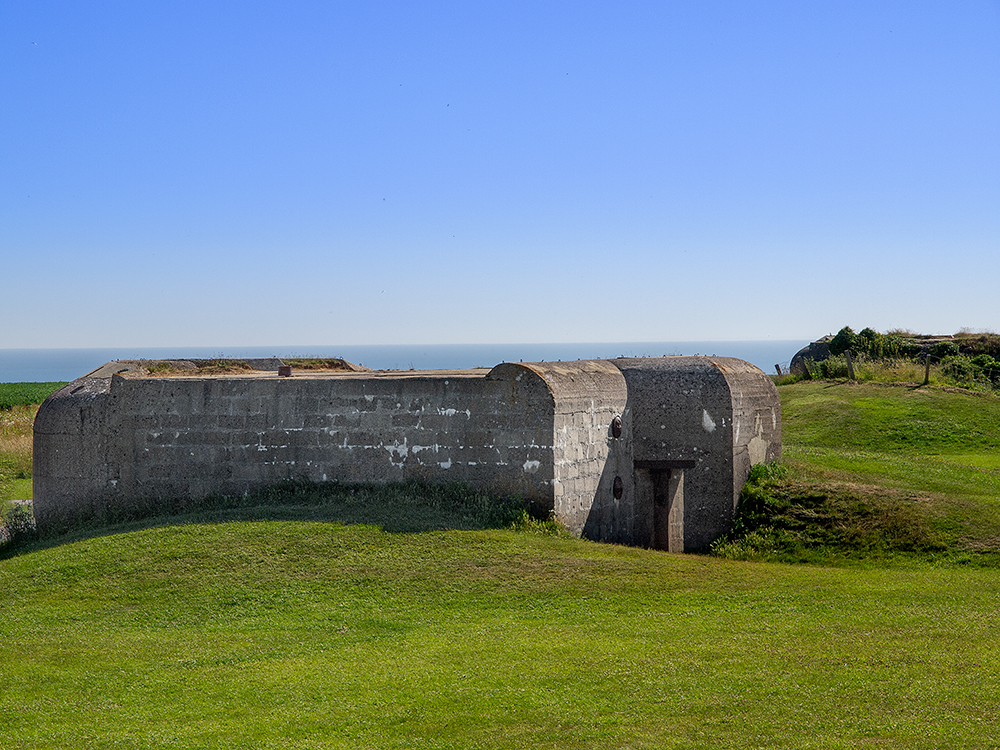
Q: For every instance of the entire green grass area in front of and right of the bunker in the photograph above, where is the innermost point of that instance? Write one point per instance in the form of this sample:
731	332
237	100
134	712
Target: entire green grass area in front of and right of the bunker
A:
272	627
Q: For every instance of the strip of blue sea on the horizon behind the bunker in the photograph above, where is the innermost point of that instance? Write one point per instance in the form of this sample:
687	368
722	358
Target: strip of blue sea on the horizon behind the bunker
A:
48	365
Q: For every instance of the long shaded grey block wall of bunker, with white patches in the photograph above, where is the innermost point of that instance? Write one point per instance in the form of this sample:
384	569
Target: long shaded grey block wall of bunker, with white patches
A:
147	442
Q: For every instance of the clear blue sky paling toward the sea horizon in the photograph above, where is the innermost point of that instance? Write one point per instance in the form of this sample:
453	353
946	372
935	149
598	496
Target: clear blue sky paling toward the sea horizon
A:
281	173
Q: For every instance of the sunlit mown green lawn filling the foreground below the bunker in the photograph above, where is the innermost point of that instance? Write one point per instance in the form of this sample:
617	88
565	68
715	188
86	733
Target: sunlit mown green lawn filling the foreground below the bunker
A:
291	634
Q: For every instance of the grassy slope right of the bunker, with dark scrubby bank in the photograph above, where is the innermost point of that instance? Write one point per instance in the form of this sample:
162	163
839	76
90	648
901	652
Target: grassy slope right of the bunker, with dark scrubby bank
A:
878	471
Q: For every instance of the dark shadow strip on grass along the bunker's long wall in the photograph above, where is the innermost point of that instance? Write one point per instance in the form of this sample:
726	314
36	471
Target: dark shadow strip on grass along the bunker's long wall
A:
410	507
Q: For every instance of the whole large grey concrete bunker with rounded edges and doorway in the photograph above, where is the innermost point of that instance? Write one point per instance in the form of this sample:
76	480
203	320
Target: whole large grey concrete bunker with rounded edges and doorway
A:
651	452
